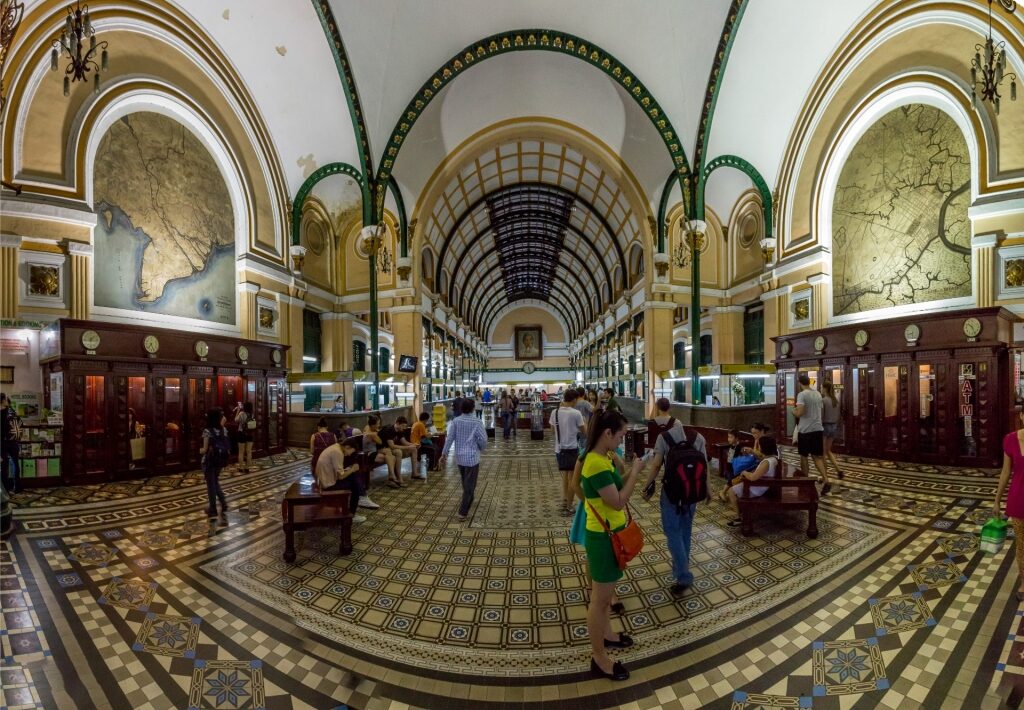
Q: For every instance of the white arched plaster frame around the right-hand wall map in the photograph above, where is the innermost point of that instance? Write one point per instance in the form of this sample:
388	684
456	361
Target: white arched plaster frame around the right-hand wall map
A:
897	94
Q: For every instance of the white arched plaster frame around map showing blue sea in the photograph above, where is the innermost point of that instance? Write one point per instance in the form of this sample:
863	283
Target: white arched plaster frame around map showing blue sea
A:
203	130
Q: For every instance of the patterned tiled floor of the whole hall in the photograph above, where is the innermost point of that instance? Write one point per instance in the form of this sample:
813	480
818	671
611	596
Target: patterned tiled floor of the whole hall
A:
127	598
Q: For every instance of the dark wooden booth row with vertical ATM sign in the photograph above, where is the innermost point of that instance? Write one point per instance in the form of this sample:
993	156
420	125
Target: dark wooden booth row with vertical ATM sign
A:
943	399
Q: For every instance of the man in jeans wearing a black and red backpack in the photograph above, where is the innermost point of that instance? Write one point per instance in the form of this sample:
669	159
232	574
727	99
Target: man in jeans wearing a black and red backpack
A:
686	484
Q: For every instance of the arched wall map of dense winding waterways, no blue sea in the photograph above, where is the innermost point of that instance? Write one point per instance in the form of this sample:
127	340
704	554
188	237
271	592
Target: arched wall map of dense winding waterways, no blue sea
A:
901	232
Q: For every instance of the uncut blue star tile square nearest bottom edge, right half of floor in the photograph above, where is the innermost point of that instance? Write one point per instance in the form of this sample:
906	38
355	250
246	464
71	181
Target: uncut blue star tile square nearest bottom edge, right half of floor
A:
847	667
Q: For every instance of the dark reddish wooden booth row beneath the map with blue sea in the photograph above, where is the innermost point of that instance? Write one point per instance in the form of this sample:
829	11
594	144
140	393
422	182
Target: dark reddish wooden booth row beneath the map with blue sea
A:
129	413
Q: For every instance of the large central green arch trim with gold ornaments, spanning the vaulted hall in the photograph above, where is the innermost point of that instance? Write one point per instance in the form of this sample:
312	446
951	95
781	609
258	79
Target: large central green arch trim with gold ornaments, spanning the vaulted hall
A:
525	40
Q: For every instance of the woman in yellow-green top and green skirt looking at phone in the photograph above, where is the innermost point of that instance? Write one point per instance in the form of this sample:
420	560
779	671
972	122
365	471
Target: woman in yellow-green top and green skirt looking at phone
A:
606	494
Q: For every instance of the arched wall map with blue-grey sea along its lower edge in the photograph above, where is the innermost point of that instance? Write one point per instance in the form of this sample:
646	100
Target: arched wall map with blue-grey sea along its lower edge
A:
165	238
